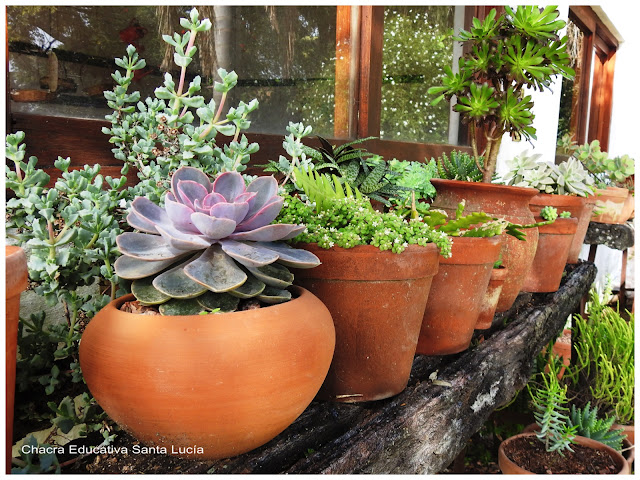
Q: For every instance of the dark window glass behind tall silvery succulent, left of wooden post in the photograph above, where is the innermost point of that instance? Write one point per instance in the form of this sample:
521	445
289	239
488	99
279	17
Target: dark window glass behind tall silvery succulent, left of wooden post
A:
284	57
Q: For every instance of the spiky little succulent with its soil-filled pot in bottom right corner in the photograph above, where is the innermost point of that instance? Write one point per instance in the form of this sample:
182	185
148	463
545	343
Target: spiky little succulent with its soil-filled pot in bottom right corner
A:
555	447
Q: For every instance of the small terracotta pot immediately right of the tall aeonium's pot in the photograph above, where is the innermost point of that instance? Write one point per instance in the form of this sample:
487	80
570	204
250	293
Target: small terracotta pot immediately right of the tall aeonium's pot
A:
551	257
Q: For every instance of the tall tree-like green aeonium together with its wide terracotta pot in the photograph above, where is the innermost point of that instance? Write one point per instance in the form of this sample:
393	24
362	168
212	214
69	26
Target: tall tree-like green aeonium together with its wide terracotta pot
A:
506	54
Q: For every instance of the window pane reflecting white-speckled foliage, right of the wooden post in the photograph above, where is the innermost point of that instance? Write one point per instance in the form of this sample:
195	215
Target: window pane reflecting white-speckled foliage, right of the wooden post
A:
417	46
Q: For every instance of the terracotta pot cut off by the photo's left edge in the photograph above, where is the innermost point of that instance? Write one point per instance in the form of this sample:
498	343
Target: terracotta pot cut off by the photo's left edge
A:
17	278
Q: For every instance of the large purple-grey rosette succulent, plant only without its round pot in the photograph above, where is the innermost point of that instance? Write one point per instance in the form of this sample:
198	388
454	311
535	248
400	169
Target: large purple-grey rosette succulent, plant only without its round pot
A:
210	245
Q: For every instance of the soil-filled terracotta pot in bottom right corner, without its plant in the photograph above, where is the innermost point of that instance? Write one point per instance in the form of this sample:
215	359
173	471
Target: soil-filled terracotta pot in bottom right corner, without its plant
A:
527	453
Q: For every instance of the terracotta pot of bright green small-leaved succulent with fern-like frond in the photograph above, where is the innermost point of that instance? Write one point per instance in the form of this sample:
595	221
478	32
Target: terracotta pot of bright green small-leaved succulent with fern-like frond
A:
375	277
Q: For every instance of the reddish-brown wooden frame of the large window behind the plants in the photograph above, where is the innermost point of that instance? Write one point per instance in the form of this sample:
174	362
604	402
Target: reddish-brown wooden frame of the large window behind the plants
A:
358	97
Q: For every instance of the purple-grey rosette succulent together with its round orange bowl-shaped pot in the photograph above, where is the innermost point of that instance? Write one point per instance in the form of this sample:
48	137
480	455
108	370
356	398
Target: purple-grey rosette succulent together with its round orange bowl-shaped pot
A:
211	245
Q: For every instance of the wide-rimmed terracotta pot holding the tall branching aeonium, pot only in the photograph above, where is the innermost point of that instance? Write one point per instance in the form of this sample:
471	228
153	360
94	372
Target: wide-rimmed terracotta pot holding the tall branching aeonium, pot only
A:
511	203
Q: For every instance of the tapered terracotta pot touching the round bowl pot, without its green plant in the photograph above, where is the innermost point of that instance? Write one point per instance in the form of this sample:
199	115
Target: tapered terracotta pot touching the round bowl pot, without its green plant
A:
377	300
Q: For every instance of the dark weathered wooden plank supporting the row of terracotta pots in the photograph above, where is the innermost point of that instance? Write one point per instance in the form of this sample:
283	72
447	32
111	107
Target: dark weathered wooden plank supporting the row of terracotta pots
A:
424	428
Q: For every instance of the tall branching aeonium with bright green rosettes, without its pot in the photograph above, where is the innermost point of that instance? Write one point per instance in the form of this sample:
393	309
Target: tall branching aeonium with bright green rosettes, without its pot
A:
506	54
